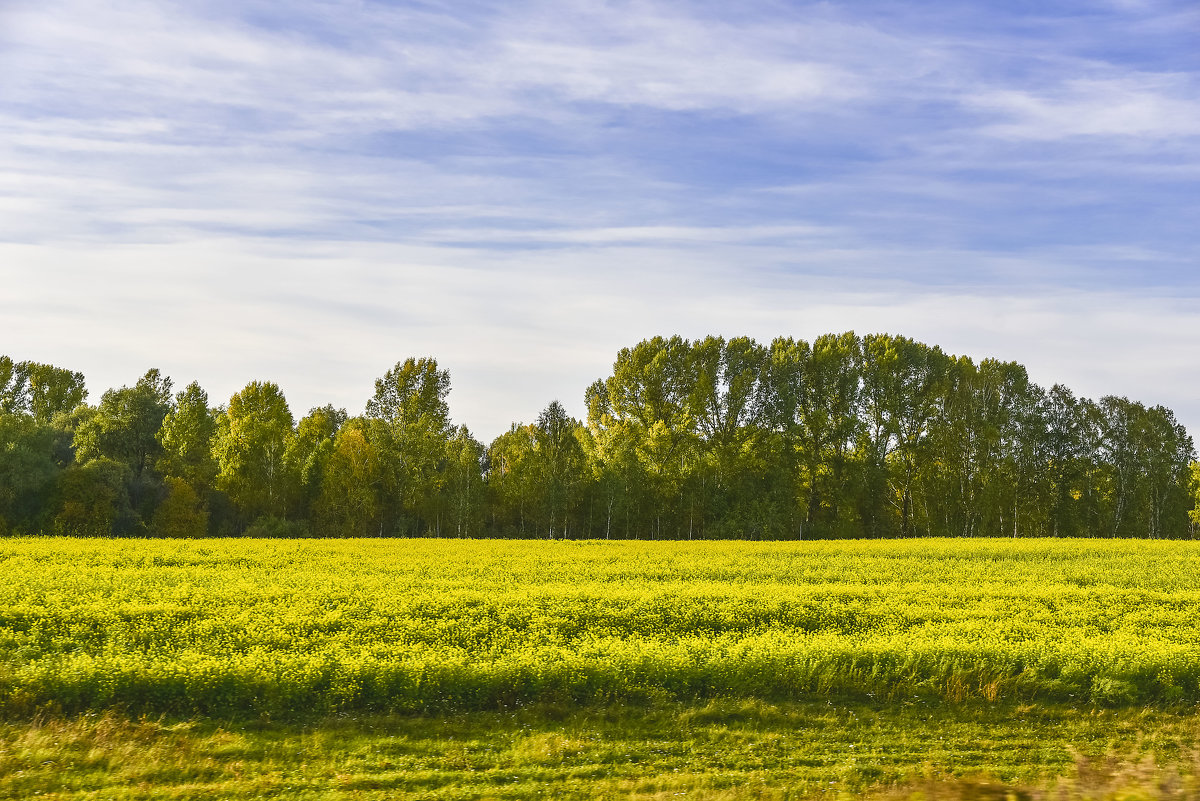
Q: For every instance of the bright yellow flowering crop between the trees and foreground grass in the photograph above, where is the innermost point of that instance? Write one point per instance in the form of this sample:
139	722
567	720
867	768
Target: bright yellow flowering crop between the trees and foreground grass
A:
295	628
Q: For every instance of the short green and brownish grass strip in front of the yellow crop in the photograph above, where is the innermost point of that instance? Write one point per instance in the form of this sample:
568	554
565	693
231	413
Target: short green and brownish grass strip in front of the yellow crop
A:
724	750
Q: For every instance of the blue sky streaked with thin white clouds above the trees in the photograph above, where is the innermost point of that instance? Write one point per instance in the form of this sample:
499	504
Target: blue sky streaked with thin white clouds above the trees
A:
311	192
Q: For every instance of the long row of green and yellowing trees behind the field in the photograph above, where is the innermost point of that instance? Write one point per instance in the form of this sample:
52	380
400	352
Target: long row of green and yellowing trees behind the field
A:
844	437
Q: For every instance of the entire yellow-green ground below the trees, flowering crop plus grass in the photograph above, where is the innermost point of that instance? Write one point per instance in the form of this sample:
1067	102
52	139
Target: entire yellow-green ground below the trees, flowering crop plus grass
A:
448	668
